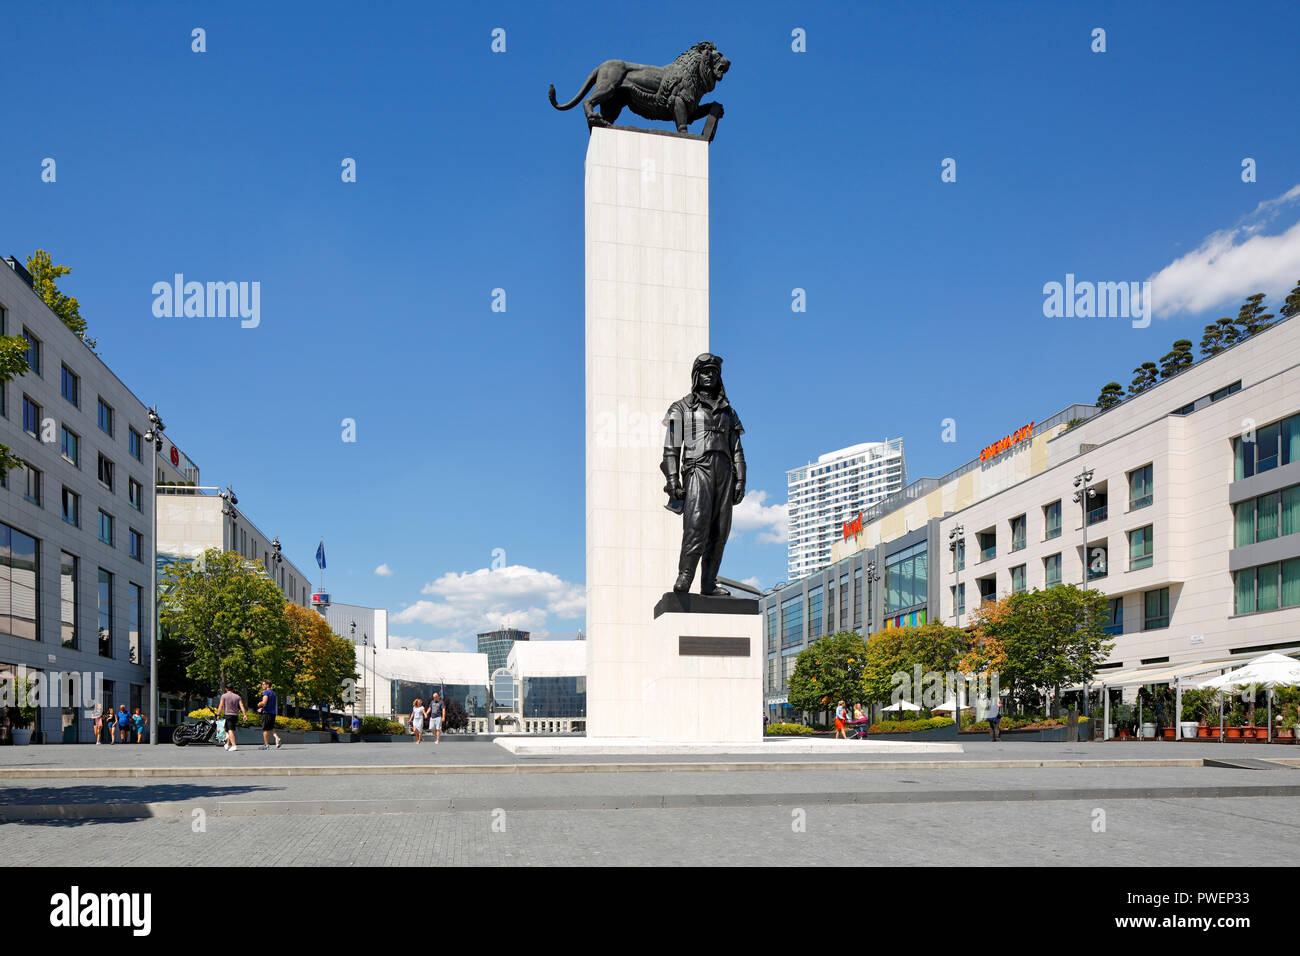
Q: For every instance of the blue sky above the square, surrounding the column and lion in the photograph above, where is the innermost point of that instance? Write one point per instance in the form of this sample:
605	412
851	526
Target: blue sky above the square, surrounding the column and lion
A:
925	300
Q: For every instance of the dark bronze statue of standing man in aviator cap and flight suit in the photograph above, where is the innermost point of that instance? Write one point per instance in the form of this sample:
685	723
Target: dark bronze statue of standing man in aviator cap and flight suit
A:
705	466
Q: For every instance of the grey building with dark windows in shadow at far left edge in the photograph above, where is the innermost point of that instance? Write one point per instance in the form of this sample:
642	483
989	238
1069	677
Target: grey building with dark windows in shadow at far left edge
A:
75	525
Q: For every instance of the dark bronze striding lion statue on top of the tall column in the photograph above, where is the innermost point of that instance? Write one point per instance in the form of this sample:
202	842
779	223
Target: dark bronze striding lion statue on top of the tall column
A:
655	93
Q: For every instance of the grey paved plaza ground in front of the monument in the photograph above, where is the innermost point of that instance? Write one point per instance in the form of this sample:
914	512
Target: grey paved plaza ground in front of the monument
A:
473	803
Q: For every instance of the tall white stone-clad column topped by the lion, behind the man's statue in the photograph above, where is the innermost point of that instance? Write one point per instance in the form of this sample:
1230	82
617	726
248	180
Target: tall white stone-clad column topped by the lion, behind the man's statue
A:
647	321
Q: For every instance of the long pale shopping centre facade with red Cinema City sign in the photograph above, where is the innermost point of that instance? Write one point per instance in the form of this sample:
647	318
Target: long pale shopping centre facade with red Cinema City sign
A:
1191	527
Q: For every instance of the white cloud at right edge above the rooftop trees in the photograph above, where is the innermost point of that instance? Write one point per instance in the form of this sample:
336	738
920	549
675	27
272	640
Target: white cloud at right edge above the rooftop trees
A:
1232	265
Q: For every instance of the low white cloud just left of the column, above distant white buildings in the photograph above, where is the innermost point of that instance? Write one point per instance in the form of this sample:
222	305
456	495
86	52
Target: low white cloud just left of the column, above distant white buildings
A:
487	599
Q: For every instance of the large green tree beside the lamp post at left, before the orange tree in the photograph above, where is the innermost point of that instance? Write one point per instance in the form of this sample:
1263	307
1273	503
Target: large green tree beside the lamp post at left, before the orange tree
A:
232	616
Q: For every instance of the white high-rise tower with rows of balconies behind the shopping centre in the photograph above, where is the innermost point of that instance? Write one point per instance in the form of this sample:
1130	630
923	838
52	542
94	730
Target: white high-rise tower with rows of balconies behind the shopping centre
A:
827	495
